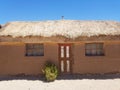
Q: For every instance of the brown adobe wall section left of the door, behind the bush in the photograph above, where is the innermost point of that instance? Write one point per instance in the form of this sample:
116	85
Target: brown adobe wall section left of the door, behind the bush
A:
13	60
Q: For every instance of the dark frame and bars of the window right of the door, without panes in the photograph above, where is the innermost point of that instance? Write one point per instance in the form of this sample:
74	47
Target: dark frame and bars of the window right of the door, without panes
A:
95	49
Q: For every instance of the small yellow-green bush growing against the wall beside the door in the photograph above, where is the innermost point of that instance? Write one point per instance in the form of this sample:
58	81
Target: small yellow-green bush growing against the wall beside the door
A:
50	72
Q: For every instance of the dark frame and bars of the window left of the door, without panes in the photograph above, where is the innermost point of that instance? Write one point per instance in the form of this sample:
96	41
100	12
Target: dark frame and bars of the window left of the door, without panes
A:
34	49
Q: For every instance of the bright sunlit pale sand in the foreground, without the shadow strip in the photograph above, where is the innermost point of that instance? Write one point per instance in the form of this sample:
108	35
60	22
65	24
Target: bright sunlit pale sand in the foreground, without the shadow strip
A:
78	84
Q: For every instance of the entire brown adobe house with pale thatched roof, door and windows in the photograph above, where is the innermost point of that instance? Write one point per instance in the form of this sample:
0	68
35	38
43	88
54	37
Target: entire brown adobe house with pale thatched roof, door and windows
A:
76	47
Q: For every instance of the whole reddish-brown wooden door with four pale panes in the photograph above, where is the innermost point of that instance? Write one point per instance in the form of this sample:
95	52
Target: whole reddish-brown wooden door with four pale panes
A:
65	58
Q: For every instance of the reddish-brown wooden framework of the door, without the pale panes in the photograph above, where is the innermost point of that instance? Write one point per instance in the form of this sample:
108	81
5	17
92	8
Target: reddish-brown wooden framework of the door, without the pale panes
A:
65	59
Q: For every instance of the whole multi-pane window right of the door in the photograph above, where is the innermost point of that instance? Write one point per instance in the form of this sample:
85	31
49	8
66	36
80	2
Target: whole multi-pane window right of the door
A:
94	49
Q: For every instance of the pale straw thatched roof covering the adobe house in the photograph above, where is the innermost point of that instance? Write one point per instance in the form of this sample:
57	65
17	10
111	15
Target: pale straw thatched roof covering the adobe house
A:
66	28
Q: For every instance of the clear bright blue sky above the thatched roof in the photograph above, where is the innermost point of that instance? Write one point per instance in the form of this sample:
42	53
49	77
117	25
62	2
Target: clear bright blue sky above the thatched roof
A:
37	10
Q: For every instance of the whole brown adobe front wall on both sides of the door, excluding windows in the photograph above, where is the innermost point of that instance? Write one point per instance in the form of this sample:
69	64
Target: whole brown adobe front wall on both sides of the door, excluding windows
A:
13	60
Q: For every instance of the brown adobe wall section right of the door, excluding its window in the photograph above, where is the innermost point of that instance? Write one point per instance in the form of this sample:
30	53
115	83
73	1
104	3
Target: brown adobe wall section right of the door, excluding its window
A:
110	63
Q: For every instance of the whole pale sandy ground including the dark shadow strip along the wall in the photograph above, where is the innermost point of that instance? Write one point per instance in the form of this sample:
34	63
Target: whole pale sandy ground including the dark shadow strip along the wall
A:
108	82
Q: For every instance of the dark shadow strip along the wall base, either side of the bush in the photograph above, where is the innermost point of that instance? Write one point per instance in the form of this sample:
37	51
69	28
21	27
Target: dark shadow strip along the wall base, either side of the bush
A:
61	77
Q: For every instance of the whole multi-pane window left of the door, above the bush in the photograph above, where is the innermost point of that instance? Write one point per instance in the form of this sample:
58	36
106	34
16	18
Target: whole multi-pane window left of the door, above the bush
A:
34	50
